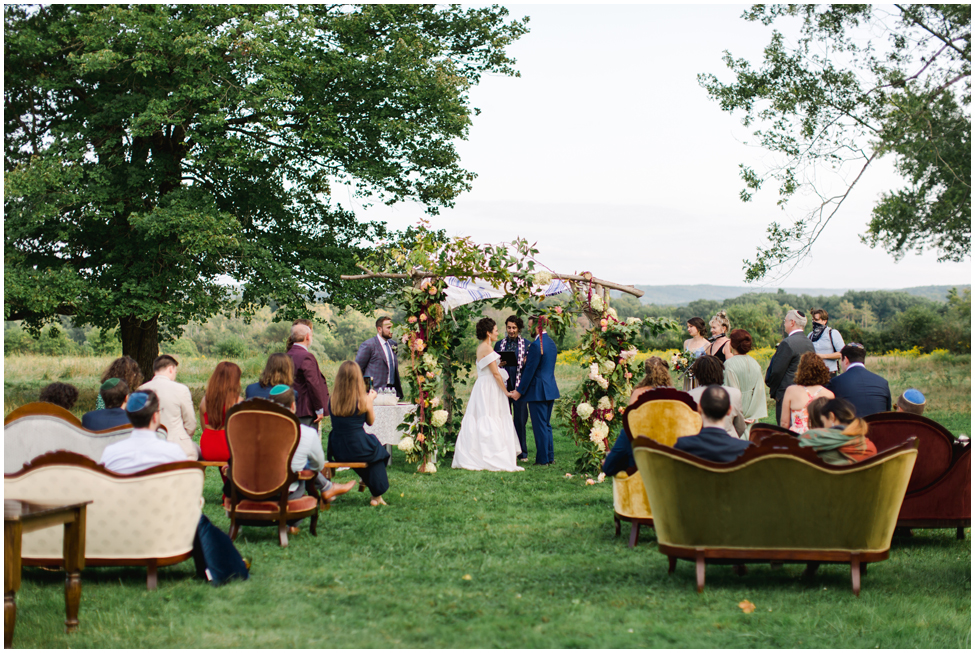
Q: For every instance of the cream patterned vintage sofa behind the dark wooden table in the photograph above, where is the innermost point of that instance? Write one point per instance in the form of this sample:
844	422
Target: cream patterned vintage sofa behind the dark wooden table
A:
146	519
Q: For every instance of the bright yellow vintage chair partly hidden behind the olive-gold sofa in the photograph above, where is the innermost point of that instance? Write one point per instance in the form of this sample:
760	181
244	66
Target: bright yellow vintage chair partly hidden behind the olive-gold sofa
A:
663	415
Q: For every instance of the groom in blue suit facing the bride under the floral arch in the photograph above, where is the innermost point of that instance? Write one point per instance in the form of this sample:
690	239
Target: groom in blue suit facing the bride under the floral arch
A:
538	387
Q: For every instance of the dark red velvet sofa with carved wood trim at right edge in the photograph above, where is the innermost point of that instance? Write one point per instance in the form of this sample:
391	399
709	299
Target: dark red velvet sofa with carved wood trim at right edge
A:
940	492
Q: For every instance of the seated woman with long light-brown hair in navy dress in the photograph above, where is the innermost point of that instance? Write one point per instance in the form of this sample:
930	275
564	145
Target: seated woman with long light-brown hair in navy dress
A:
350	406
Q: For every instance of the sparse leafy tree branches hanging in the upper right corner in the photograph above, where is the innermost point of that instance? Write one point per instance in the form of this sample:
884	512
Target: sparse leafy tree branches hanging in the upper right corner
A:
862	82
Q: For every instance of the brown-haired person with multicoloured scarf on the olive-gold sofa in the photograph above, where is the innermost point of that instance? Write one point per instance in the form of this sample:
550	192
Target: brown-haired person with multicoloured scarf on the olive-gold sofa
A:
843	441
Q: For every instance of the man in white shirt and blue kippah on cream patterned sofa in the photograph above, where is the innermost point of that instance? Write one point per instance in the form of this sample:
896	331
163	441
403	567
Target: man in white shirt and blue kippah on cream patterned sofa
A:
144	448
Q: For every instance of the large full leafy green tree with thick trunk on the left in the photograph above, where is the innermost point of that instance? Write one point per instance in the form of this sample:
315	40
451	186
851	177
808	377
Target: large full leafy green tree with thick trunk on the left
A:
164	163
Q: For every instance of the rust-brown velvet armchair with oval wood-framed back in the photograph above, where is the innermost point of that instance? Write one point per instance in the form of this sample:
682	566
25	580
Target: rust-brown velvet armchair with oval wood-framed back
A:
262	437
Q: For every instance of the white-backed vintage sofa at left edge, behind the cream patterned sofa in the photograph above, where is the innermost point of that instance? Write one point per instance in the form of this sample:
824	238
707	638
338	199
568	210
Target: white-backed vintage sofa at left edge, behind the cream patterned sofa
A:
40	427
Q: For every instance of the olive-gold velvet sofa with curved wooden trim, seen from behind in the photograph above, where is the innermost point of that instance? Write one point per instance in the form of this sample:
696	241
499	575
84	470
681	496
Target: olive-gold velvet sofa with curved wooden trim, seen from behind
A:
777	502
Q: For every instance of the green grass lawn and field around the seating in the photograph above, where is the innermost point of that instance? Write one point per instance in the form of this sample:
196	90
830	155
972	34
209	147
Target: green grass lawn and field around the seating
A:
476	560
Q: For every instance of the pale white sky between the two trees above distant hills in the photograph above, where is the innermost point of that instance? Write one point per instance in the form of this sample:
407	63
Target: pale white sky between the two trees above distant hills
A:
608	154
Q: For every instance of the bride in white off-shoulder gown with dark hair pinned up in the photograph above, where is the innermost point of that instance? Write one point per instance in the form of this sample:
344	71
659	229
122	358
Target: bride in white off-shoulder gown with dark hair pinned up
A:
487	438
